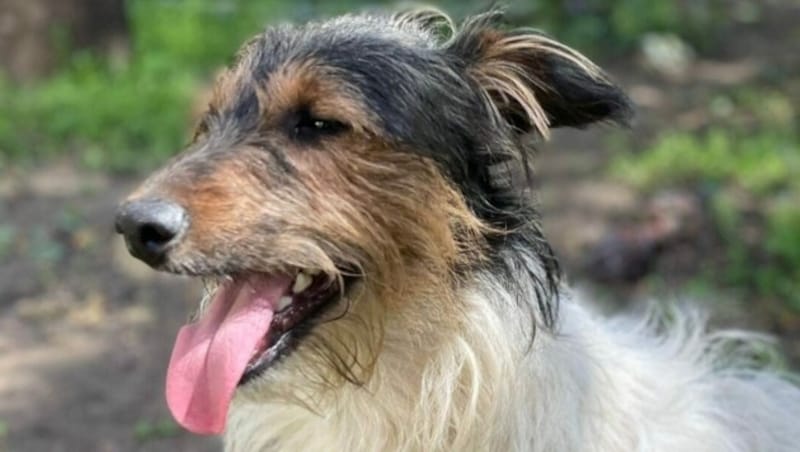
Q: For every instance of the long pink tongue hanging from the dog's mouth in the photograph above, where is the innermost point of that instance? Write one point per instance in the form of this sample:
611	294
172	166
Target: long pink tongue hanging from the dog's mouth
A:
211	355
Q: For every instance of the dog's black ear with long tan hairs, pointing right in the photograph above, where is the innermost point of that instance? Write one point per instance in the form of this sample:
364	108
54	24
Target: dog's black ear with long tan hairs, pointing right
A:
534	83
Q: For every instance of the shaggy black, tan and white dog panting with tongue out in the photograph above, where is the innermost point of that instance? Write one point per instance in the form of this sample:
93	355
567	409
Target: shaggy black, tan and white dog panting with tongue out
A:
355	200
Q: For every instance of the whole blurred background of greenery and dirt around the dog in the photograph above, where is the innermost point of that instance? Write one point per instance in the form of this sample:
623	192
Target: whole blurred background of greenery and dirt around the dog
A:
699	200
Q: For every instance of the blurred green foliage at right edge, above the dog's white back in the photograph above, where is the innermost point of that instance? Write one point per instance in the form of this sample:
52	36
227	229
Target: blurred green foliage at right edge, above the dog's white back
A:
752	178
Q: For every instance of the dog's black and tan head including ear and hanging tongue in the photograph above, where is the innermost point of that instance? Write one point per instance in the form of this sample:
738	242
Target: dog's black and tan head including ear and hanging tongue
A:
343	171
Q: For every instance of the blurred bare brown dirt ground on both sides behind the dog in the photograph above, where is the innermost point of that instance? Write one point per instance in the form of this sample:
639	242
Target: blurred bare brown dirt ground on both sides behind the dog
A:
85	331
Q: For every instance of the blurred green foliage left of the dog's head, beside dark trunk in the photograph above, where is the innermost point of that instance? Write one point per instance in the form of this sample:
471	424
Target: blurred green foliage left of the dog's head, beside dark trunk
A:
128	117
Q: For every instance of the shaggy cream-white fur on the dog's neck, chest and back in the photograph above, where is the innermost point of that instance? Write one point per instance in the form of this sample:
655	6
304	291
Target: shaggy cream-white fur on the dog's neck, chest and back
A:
593	386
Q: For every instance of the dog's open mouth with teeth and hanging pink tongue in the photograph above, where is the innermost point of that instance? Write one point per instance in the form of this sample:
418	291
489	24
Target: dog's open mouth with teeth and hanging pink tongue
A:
246	324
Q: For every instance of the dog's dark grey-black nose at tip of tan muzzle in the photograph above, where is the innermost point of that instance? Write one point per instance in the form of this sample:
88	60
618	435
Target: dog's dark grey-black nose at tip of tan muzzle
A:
151	227
